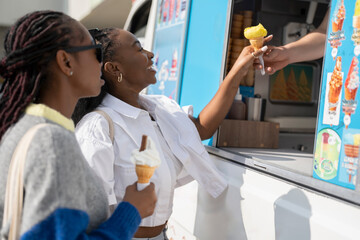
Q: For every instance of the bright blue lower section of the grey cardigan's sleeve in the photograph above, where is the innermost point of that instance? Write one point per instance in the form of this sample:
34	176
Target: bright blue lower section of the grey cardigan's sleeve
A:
71	224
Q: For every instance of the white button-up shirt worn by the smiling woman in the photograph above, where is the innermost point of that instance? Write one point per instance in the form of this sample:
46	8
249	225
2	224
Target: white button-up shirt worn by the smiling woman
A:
183	157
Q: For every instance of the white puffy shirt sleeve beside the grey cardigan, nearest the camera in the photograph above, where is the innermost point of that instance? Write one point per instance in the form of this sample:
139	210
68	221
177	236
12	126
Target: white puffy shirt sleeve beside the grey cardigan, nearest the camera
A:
93	136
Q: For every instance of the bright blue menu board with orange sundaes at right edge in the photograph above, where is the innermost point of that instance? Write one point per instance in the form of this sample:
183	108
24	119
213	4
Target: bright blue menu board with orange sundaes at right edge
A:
336	157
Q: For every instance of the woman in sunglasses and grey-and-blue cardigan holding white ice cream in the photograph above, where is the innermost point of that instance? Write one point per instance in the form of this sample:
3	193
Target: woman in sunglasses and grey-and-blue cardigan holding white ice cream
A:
51	61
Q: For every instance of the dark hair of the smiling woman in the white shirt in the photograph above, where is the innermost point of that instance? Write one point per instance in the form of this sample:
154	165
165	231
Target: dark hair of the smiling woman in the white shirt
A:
106	37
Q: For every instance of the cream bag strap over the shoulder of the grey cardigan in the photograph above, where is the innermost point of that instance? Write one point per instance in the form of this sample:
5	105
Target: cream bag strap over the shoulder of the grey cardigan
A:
13	205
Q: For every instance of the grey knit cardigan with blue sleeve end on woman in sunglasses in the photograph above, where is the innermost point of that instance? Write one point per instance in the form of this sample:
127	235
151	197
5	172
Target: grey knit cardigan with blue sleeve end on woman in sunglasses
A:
64	198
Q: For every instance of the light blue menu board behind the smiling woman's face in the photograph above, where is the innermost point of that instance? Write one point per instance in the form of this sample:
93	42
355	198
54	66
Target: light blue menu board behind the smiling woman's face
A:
169	45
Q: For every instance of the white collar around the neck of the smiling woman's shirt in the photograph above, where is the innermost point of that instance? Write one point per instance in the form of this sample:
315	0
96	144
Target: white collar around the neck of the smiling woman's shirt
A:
126	109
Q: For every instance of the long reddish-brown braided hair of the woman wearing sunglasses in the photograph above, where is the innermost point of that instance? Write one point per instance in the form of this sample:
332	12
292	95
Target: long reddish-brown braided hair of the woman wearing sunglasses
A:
30	44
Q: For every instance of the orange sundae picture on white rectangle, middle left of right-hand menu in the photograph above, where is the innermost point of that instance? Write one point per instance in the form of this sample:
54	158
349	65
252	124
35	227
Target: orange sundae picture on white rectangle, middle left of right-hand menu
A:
333	94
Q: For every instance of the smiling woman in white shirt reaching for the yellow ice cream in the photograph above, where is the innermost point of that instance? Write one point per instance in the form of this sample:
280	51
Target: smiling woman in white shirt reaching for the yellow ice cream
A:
127	70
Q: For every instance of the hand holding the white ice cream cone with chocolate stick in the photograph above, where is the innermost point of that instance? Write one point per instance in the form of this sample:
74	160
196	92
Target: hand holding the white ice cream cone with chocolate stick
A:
144	201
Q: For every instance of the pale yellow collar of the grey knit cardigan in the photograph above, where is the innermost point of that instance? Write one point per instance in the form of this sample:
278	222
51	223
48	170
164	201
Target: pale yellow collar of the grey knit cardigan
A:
42	110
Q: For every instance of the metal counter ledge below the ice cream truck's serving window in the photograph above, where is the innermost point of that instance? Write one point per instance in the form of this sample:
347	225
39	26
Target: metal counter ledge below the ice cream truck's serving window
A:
287	164
